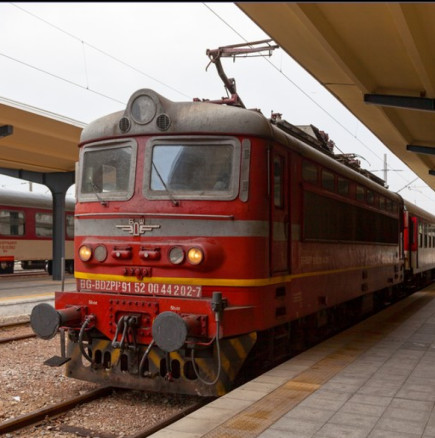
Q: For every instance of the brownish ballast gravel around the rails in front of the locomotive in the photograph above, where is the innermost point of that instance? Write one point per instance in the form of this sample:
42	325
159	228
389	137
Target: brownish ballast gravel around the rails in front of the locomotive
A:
26	385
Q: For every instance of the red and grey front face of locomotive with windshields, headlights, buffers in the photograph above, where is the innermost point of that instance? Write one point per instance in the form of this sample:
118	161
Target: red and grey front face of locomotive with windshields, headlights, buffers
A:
160	225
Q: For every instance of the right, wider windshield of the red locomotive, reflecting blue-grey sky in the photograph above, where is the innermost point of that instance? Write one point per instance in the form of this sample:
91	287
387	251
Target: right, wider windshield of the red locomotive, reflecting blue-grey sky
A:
192	170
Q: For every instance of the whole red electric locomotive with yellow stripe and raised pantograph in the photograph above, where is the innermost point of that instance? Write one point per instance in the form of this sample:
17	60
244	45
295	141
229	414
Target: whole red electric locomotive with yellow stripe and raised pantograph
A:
208	237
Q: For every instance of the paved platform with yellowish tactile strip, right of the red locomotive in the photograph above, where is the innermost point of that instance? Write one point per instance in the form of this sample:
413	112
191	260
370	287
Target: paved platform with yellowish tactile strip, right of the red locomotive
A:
374	380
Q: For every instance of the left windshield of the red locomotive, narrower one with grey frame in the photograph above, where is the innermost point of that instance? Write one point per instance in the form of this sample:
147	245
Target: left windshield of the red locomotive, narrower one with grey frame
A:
107	171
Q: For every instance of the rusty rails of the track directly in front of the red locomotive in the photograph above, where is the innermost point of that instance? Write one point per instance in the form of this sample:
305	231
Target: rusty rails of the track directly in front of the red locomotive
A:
40	415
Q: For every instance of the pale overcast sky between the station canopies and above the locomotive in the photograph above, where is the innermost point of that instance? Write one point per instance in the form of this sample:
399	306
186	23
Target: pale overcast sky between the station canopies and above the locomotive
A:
84	60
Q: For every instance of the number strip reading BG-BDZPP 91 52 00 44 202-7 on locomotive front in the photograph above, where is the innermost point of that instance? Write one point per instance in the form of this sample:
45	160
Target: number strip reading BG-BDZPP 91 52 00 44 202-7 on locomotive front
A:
127	287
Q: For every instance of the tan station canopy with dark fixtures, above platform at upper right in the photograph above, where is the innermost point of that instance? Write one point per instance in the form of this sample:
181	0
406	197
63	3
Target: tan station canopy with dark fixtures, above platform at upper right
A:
377	59
